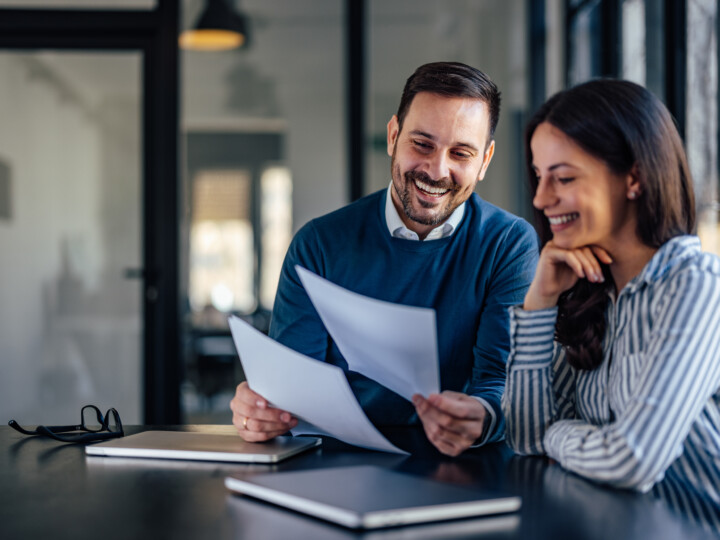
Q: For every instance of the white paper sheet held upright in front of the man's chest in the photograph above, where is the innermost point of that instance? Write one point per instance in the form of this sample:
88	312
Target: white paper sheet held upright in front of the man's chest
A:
392	344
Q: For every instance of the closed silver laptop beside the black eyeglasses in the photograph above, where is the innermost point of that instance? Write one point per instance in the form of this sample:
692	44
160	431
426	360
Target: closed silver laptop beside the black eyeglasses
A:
202	446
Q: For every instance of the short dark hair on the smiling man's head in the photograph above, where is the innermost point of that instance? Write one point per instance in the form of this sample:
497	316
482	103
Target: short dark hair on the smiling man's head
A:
451	79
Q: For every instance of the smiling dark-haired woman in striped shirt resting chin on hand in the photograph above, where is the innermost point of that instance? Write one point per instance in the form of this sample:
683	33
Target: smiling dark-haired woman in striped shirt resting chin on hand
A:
615	363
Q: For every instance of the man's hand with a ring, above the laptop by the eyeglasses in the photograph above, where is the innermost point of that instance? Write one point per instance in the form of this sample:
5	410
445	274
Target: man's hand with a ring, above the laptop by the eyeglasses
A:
255	419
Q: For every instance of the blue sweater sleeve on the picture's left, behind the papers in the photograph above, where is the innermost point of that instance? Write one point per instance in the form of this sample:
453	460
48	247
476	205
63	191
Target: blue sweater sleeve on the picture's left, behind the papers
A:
295	322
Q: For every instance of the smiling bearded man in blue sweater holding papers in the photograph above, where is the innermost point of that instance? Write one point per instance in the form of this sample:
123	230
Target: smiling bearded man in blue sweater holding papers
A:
426	241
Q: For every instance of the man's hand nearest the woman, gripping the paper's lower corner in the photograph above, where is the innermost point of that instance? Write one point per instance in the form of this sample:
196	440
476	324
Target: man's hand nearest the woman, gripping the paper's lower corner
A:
452	421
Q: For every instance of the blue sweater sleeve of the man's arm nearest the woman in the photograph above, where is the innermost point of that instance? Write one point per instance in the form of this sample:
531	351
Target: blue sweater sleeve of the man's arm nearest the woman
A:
511	276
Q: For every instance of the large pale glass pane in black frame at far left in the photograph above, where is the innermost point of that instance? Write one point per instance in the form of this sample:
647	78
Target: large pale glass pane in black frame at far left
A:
70	234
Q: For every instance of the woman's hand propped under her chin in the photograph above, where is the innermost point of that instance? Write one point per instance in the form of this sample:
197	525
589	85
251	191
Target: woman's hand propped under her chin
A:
559	270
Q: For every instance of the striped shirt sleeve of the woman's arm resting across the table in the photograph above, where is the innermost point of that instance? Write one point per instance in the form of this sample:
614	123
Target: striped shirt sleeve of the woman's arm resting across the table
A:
681	373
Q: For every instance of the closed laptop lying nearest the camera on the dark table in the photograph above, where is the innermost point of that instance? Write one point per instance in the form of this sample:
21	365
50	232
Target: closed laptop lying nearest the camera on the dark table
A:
368	497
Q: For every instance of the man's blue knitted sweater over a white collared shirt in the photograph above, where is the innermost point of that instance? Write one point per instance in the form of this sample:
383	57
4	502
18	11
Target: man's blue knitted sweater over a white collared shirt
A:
470	278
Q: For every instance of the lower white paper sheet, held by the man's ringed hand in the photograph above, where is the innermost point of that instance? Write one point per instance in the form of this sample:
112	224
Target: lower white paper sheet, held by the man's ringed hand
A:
315	392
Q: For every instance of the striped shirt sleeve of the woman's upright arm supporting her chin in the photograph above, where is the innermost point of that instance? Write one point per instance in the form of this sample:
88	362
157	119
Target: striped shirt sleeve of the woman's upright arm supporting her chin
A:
540	384
